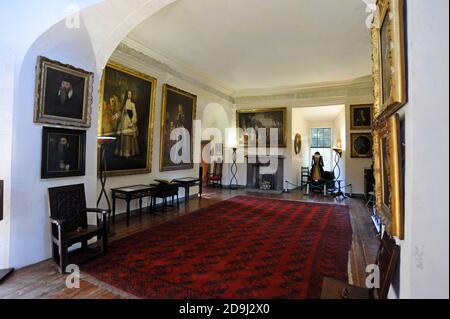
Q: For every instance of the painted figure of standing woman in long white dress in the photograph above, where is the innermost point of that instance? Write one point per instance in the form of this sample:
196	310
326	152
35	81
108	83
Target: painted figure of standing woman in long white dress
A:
127	130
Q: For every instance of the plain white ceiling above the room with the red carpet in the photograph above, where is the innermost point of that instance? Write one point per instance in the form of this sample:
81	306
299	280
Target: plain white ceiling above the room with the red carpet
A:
252	44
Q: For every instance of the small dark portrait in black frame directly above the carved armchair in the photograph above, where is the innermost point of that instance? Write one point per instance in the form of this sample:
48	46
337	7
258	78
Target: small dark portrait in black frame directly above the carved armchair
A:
63	153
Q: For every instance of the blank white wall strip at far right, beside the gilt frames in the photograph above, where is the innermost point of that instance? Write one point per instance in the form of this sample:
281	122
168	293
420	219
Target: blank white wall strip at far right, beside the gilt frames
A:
424	265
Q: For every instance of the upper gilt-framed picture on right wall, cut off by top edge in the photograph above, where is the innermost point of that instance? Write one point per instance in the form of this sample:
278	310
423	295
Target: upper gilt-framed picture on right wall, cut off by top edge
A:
389	58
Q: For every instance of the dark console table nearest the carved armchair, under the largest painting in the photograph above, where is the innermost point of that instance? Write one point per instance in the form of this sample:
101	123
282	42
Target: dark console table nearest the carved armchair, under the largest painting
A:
129	193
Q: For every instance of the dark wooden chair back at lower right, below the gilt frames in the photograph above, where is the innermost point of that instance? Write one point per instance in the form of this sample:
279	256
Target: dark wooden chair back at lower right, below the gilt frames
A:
387	260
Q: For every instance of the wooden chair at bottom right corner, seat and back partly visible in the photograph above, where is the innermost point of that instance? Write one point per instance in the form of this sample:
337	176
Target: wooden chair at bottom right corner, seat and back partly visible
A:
387	259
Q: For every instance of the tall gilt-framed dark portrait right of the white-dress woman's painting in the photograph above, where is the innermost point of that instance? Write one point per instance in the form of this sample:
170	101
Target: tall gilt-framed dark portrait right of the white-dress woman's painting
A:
178	114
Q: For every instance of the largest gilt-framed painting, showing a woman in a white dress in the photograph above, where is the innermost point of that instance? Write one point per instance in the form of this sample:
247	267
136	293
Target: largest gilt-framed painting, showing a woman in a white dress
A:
127	114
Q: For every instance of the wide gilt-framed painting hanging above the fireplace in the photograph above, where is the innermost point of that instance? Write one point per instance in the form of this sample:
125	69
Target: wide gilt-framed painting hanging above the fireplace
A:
265	118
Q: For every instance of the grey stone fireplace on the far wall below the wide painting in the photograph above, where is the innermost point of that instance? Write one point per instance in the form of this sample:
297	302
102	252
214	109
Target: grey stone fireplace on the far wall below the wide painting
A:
258	179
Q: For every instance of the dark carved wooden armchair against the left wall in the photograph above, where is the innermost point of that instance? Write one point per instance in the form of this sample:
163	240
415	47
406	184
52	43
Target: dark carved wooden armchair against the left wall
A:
69	225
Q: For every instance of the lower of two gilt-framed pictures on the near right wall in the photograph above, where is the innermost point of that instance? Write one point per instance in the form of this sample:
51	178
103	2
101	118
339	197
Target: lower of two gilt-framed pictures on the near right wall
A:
388	172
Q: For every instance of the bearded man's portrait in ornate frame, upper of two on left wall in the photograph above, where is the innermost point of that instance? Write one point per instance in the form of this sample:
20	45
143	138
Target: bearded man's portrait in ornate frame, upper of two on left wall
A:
63	94
